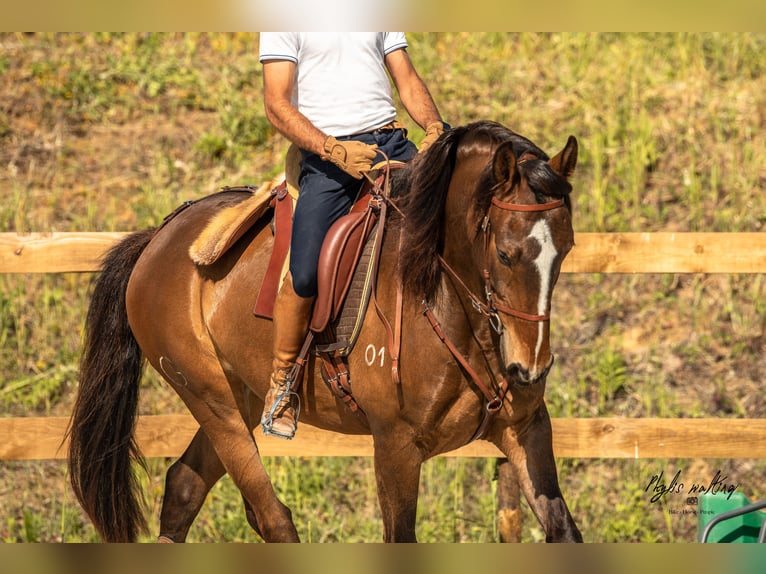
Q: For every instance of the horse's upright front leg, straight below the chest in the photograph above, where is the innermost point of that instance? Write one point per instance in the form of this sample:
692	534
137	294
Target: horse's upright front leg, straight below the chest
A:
397	473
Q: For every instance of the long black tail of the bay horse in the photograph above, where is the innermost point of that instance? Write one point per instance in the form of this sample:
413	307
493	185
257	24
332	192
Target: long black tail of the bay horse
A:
102	447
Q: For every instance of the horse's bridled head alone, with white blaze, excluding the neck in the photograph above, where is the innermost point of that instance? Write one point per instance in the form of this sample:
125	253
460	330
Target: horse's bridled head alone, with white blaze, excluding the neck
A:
526	225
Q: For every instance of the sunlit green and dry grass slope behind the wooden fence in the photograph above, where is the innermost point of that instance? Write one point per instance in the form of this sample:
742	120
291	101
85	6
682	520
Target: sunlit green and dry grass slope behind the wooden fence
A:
102	132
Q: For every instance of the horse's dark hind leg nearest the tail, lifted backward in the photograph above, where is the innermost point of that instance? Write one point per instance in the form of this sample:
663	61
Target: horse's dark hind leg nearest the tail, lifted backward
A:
187	483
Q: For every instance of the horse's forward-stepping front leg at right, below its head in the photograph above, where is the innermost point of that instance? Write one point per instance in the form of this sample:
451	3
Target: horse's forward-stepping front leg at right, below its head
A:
531	453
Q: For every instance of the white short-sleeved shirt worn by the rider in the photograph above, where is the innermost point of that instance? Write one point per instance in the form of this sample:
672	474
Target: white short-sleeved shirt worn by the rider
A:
341	84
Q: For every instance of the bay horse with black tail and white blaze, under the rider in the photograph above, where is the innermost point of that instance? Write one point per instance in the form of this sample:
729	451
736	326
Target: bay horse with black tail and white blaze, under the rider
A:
483	211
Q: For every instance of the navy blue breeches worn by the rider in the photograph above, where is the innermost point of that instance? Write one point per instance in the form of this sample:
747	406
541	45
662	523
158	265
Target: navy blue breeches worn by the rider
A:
327	193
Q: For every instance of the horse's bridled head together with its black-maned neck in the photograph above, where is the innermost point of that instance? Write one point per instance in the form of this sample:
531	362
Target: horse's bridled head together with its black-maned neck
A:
492	210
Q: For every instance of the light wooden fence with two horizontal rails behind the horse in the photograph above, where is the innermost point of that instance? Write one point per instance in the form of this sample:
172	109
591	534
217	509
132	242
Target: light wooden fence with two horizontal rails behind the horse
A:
167	435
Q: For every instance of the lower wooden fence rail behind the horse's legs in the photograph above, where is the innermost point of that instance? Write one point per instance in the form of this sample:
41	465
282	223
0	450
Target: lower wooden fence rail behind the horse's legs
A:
37	438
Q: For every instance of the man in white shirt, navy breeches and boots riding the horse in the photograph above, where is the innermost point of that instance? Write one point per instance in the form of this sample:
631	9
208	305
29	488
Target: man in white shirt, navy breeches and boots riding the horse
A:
328	93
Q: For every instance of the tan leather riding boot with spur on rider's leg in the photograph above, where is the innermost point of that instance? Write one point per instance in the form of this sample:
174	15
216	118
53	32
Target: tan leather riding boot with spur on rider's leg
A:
291	321
